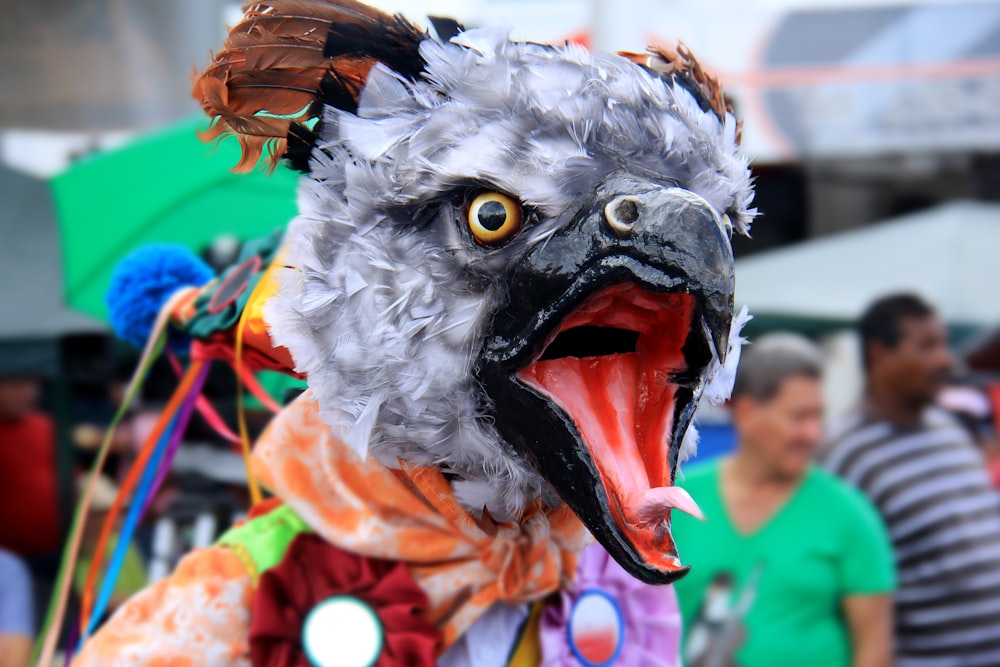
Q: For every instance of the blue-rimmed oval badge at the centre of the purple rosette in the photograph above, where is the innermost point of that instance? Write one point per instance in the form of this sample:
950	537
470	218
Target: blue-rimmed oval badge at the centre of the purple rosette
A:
596	629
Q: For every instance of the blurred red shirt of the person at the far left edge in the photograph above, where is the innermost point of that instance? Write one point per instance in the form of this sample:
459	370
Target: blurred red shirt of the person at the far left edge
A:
29	487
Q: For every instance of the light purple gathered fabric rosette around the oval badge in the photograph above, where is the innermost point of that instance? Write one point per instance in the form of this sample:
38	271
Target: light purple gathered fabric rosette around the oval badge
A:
652	619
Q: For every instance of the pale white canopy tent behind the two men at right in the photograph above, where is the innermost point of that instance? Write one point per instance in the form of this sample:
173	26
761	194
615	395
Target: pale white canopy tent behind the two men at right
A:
950	255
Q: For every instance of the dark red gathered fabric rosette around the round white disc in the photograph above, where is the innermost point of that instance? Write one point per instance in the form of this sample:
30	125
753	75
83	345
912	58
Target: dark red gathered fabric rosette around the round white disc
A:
314	570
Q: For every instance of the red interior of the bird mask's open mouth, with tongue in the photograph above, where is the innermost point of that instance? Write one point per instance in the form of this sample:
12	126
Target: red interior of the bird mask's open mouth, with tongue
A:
621	398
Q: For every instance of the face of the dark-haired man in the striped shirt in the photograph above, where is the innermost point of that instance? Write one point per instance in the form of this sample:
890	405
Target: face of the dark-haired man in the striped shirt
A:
917	368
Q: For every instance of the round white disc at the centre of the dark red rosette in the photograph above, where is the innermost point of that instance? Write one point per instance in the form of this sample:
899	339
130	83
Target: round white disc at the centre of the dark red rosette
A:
342	631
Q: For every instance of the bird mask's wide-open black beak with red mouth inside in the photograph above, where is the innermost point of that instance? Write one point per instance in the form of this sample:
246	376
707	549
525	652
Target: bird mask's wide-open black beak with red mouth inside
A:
598	361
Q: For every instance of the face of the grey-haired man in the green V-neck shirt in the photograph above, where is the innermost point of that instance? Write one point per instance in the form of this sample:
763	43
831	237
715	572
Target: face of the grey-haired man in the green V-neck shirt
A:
784	430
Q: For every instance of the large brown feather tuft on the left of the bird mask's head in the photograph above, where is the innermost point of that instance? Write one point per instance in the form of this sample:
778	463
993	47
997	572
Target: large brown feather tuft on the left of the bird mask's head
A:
270	71
